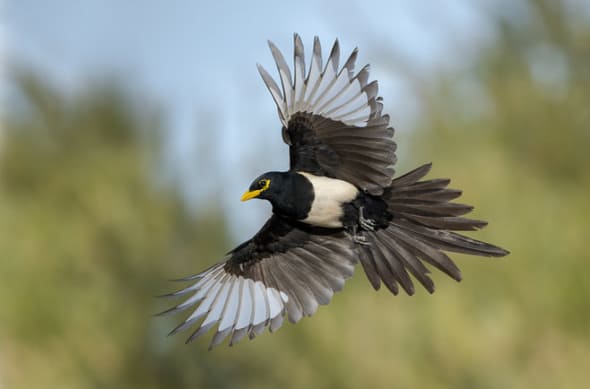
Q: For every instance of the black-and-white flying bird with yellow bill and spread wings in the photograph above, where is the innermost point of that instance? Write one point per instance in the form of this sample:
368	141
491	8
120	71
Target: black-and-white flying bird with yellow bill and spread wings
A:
338	204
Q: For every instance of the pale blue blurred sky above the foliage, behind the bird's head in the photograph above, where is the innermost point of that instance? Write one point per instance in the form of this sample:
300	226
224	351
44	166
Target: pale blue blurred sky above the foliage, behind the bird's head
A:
197	59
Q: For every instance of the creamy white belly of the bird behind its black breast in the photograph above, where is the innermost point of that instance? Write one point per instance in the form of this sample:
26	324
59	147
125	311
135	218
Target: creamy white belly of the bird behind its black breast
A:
330	194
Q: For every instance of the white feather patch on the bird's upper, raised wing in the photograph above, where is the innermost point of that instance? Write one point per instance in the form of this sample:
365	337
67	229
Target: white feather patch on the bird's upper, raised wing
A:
328	92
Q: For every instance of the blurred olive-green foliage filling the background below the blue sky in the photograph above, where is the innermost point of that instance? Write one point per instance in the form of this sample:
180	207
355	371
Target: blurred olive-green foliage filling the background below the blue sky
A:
89	233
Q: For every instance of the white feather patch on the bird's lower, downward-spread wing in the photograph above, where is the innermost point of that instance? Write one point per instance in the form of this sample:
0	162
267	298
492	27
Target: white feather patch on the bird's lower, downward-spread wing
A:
239	305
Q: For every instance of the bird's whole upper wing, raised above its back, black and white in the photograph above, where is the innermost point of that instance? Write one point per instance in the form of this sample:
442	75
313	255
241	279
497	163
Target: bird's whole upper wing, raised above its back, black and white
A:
332	118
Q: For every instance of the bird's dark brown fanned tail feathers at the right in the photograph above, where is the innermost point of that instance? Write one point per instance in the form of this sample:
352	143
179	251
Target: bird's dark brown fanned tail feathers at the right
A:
423	225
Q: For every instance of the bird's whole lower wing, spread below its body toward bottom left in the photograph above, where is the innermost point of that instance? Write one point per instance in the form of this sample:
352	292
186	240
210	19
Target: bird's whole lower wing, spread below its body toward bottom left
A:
286	268
